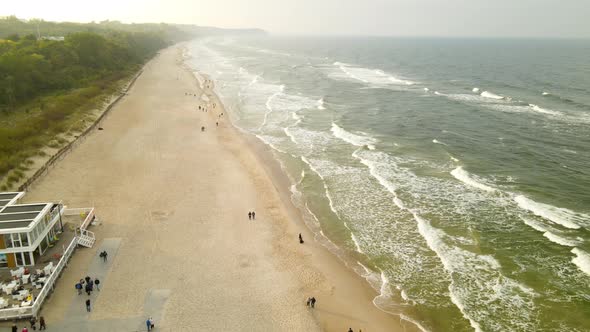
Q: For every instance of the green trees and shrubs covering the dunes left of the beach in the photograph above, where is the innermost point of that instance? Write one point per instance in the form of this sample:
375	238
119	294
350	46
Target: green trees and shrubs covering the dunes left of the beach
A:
50	87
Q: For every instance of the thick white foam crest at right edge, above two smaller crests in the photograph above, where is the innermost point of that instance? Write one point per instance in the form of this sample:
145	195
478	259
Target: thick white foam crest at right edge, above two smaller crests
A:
564	217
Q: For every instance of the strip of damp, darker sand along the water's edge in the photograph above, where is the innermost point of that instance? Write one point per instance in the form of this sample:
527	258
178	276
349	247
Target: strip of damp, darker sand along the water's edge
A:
349	296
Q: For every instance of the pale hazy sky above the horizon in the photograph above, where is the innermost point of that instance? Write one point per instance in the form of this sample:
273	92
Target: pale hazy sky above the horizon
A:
488	18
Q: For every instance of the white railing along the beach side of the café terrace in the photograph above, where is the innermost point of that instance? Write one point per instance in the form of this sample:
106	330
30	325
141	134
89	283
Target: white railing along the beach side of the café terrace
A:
22	312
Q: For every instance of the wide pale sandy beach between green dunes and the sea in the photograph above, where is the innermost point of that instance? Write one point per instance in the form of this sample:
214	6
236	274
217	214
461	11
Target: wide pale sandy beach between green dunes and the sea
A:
177	199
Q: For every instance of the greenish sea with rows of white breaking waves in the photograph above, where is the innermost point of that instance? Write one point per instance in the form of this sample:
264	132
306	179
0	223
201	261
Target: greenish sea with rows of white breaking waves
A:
452	174
